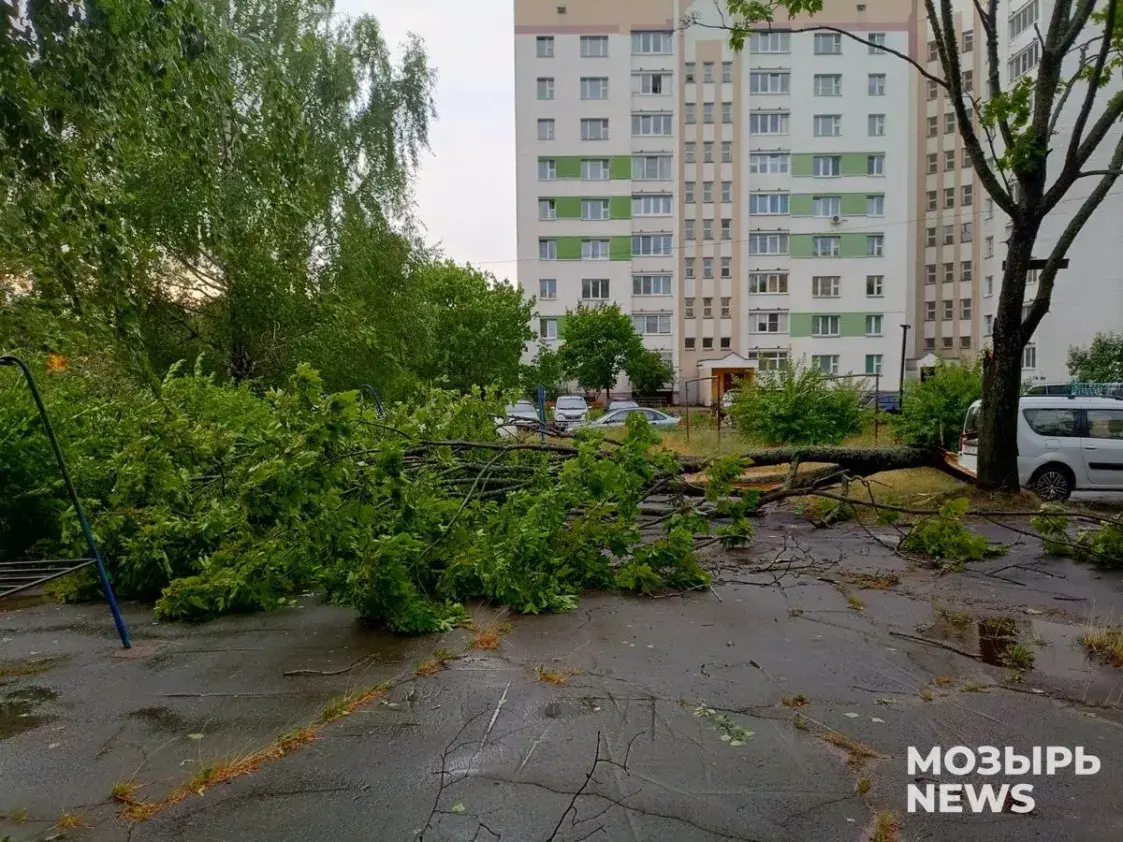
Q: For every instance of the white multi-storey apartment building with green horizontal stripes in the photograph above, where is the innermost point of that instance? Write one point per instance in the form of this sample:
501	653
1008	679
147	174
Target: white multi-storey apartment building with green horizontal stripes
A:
748	206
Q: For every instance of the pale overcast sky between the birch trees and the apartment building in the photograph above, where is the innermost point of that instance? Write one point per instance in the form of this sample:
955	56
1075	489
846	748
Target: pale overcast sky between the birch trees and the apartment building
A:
465	191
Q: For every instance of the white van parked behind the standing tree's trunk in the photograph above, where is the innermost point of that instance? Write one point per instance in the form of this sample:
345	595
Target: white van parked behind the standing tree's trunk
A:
1064	445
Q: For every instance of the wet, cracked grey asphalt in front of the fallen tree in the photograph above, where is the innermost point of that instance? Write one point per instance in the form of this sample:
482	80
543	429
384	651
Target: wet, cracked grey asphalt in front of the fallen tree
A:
486	751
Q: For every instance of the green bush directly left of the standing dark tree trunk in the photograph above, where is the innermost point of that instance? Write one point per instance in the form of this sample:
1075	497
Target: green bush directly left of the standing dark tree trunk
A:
933	413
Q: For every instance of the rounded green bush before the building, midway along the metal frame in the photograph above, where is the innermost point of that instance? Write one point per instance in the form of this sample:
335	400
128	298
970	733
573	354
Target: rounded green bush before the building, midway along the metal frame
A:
798	406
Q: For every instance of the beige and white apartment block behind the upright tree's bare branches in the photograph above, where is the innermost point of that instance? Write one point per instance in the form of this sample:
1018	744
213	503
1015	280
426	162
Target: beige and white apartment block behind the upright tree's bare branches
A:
962	243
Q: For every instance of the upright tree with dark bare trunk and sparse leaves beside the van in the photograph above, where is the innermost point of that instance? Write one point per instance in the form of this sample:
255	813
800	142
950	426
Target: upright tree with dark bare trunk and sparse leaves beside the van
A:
1010	134
